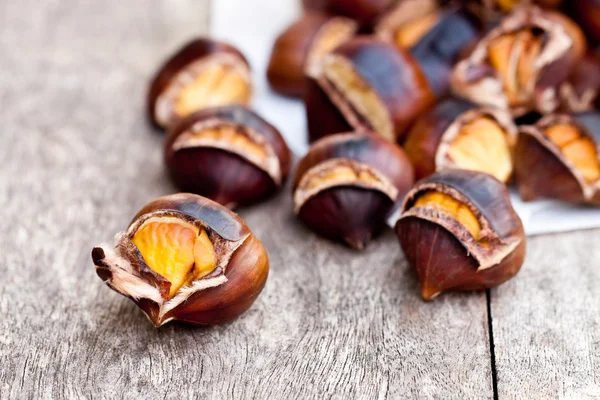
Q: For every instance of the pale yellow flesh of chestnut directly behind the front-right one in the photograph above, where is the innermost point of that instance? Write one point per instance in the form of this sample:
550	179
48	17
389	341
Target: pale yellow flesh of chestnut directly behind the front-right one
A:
482	145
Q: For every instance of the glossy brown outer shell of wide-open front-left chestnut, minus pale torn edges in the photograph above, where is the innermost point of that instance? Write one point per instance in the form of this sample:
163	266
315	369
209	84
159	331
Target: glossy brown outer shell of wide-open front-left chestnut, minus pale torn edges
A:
246	272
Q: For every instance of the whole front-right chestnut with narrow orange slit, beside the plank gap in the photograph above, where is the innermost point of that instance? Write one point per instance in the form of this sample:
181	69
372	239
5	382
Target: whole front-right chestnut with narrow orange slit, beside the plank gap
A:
459	231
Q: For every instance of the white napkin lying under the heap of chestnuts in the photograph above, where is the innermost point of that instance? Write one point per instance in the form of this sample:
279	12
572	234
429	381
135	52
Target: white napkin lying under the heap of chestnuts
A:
252	26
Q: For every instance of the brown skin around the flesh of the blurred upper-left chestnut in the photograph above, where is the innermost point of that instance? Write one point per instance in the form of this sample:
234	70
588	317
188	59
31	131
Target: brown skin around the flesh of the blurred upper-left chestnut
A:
196	51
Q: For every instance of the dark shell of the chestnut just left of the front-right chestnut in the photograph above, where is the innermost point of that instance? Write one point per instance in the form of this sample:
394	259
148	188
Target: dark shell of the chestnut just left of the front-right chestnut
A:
350	212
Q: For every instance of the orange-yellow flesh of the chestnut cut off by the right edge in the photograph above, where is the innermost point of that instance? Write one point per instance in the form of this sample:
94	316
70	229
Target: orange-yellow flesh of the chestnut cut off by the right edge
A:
577	148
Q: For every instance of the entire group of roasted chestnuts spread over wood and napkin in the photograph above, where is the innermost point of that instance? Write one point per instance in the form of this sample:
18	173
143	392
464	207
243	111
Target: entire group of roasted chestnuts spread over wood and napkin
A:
464	97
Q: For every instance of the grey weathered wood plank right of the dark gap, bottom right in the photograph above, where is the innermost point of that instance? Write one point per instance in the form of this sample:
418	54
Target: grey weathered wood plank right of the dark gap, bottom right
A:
546	322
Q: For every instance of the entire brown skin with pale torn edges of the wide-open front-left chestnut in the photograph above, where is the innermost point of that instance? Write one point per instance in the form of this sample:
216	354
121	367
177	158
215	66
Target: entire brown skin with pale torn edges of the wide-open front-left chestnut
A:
221	296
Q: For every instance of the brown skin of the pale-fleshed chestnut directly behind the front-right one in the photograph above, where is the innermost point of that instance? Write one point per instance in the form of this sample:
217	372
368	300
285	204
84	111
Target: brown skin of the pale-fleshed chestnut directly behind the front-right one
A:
428	141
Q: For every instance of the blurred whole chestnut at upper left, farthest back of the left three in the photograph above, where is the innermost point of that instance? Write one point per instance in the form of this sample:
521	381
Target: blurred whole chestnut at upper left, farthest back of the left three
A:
202	74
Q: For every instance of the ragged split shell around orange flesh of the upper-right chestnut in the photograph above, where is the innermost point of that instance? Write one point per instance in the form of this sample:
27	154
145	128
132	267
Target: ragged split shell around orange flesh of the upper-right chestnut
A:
476	80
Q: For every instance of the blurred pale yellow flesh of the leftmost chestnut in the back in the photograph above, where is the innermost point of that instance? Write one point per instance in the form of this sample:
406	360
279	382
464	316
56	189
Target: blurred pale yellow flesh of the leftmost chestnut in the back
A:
216	85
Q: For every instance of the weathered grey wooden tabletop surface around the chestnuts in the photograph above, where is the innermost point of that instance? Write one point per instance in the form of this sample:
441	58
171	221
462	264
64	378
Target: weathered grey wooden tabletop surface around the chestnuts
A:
78	160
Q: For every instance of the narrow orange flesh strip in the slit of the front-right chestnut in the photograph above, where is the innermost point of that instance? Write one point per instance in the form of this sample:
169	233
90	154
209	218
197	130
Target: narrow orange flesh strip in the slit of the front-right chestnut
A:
452	207
